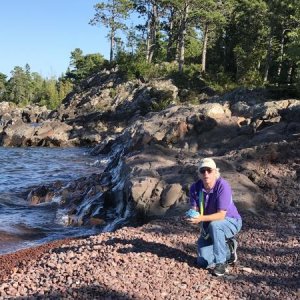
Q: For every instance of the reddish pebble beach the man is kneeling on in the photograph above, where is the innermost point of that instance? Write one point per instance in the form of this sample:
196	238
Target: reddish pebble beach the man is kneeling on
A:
157	261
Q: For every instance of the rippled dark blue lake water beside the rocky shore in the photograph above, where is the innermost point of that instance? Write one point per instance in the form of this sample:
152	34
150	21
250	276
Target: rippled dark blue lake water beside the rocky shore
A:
22	225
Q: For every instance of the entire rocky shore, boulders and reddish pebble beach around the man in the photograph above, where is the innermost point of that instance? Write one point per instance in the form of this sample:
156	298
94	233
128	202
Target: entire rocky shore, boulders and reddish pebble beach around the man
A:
154	141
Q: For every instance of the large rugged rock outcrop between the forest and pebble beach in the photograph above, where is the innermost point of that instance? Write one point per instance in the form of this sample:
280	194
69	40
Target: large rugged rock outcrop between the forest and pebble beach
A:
154	141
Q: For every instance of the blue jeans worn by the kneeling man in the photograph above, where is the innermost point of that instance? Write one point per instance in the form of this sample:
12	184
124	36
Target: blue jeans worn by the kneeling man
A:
214	249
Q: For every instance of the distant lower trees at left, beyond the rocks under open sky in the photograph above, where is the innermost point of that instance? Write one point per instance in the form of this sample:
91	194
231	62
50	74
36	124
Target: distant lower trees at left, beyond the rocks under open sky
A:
25	87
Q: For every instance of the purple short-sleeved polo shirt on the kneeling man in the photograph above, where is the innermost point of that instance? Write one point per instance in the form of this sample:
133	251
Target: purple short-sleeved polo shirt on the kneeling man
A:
219	198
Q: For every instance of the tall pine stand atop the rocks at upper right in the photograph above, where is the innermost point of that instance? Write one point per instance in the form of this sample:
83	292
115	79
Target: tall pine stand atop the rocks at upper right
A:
244	41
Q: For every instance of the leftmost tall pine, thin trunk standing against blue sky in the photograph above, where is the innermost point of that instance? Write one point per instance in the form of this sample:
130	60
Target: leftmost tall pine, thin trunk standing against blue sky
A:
112	15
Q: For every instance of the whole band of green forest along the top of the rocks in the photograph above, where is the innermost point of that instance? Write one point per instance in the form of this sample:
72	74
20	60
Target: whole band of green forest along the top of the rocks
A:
198	43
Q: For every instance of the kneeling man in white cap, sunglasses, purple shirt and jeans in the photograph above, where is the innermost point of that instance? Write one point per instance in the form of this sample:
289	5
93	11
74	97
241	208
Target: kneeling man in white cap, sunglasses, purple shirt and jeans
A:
211	196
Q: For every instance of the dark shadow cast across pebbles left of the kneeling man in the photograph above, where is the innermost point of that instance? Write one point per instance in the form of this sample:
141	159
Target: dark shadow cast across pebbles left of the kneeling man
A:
161	250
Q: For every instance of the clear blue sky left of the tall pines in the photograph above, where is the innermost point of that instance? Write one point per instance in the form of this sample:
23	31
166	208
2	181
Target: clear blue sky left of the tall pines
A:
43	33
